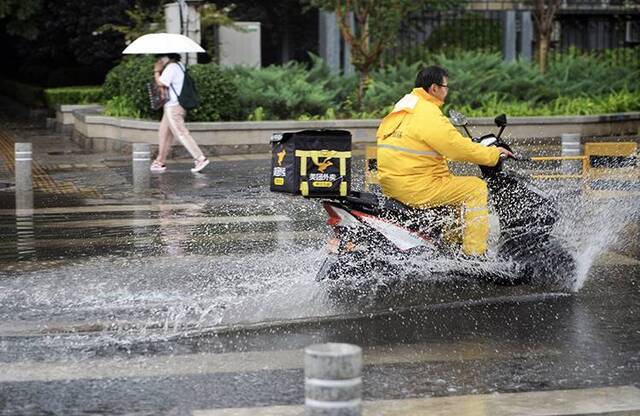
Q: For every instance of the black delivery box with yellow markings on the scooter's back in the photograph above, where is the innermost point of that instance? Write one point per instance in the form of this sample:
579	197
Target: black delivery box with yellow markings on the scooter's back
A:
311	162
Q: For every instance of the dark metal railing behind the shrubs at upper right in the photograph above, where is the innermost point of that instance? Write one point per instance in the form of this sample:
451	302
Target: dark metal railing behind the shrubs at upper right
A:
610	27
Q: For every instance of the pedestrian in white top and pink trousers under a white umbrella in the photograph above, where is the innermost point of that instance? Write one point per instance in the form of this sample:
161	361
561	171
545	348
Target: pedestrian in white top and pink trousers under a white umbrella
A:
171	76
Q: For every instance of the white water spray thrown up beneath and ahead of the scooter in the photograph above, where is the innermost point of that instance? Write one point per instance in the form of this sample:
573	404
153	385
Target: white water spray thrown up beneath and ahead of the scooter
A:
587	228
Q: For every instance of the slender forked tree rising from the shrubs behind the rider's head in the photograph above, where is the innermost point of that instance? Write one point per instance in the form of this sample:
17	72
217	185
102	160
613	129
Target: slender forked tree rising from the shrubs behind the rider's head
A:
375	27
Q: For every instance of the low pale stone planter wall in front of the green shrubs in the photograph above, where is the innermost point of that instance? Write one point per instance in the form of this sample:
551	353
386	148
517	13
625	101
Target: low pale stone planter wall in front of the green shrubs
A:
96	132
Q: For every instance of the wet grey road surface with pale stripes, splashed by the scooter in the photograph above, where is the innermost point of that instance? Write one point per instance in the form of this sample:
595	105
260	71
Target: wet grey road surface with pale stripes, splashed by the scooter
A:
199	293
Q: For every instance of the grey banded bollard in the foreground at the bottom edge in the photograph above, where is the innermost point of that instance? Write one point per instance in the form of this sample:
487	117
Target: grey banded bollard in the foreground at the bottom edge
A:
333	382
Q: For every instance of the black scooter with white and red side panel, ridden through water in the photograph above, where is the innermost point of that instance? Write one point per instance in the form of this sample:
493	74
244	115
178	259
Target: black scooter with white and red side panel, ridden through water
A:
374	234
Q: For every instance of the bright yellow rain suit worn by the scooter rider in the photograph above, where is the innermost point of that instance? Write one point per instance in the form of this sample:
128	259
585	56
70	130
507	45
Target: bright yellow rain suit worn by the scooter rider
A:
414	142
